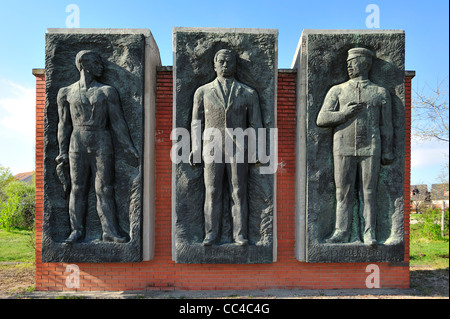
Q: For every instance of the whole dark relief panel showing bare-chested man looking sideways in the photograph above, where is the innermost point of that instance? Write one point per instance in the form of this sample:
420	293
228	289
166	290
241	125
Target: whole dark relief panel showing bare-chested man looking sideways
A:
94	138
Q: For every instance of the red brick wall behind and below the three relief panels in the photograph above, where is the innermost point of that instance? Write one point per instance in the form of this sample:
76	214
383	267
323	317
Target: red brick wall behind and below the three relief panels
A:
163	273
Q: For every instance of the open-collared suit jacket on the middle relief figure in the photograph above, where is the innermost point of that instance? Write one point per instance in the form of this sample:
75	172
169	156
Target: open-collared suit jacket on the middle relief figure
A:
212	109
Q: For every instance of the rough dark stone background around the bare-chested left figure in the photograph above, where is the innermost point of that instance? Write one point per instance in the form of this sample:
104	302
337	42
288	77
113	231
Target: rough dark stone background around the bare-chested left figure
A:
123	58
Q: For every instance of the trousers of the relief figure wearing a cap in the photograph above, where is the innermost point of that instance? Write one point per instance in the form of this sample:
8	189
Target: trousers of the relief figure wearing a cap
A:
346	170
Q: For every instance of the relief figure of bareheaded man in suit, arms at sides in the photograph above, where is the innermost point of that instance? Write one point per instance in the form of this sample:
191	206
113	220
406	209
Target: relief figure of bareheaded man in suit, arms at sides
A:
223	105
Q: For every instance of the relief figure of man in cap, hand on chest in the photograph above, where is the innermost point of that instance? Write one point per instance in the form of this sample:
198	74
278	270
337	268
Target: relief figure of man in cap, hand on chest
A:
361	114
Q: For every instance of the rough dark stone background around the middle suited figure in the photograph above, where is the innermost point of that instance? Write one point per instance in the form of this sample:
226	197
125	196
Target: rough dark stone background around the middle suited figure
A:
193	67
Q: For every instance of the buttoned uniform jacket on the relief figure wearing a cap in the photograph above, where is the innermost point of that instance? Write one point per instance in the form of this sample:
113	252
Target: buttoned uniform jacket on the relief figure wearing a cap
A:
368	133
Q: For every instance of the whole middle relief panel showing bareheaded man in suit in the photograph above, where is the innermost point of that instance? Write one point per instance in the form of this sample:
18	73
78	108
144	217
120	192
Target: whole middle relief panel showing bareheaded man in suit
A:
224	108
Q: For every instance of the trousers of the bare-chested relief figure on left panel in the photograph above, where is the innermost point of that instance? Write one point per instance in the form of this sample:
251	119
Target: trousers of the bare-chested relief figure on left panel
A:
84	166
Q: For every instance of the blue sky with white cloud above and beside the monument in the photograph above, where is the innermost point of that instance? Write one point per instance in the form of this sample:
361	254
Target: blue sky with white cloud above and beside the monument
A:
24	23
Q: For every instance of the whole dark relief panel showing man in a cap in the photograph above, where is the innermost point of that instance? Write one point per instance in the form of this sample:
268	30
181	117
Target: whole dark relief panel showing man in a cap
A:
353	146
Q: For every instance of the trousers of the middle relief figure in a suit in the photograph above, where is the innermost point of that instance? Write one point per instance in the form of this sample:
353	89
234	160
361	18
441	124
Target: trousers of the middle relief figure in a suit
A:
237	180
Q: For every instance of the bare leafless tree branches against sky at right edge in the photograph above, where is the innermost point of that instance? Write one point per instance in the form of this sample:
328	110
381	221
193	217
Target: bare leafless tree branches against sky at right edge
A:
430	113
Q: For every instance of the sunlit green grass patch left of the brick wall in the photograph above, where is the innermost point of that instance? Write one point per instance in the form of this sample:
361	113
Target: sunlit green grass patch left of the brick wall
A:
15	246
